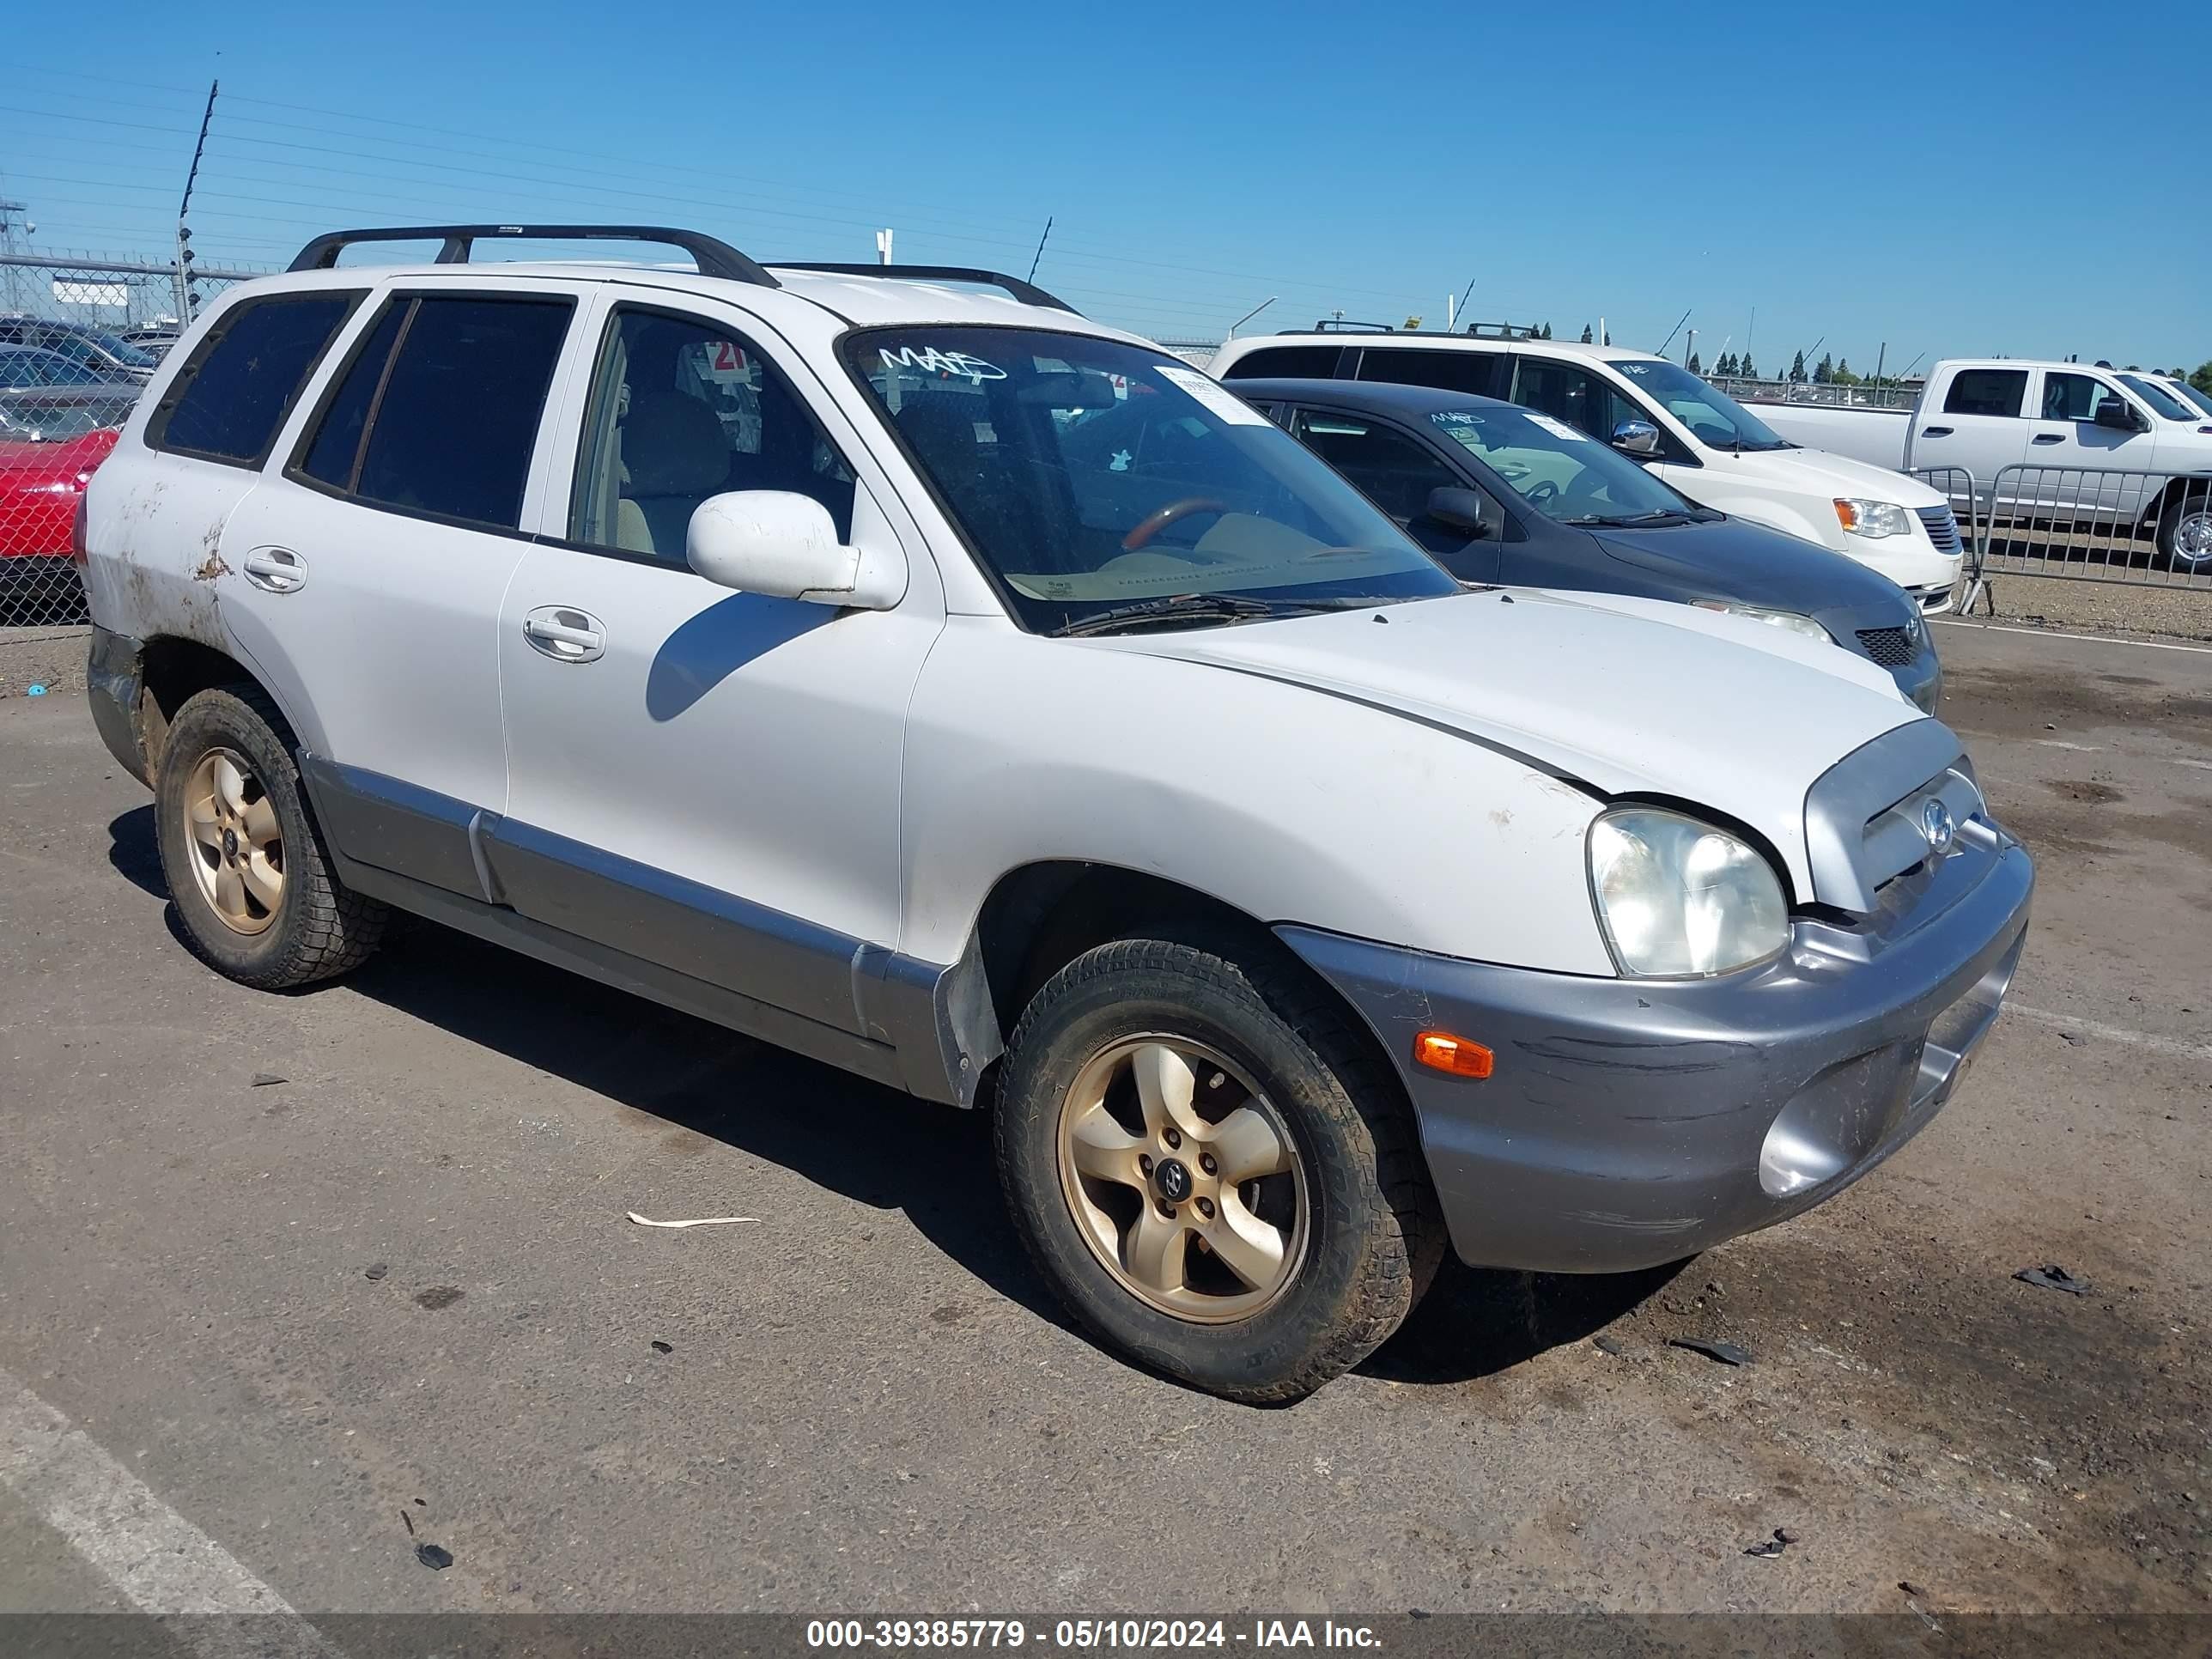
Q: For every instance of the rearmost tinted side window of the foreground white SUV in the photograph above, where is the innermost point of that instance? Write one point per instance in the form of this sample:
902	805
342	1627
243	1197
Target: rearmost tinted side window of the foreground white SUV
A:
240	386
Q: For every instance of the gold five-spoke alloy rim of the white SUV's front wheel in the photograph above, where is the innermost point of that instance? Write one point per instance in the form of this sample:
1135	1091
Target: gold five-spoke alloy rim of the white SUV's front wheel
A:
1182	1180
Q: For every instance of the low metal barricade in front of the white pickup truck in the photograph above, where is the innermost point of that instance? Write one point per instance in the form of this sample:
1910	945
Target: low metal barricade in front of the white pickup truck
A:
2096	525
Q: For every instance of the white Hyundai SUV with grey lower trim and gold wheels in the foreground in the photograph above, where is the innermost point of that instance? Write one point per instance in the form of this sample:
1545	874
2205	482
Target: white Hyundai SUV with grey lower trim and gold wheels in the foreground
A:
800	649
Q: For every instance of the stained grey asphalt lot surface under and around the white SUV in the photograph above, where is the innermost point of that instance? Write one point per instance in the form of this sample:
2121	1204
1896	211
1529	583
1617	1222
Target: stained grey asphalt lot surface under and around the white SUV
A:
393	1297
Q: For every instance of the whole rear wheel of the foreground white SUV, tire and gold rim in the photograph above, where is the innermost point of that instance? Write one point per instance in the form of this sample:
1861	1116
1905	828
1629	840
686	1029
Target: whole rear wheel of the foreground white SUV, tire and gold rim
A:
244	862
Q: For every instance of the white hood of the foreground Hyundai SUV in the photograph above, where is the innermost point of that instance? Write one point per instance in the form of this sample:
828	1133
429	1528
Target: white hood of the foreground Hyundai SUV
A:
1618	696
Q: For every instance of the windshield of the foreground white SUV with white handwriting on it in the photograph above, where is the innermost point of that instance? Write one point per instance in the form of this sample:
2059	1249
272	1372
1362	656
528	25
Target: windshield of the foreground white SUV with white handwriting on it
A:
1092	474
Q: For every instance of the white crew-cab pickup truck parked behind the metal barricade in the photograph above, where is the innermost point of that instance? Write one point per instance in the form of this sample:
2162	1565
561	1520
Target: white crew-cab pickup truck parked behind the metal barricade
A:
2041	439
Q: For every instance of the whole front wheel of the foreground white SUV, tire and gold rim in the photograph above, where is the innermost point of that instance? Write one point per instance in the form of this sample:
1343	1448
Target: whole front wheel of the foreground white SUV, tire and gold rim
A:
1215	1173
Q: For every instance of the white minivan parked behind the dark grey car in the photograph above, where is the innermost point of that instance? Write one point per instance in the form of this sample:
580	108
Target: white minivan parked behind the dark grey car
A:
1695	437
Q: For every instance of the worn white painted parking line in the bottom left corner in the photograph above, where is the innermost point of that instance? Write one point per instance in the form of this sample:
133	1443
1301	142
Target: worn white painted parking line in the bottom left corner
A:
152	1554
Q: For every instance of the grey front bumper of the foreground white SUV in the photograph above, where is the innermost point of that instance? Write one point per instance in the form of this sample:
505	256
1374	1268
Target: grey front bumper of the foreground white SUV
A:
1634	1123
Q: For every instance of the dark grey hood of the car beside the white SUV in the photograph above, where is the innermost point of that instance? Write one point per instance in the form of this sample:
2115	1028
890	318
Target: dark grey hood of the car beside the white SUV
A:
1755	565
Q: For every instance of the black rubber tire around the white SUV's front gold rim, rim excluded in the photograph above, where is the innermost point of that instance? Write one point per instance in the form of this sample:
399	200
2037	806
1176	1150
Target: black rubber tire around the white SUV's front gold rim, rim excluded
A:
1375	1235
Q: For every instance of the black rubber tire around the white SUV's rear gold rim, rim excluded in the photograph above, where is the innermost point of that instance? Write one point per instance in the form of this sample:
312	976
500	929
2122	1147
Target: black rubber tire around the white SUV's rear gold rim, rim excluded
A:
317	930
